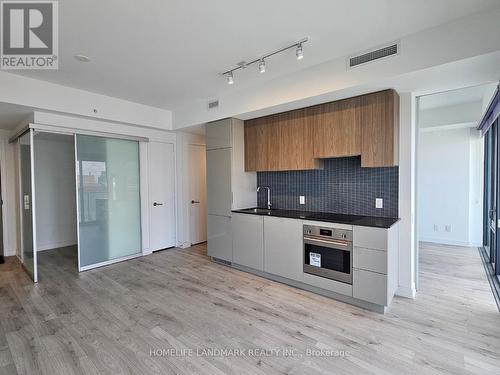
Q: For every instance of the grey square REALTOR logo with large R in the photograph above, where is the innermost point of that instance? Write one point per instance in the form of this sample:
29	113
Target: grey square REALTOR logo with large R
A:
29	37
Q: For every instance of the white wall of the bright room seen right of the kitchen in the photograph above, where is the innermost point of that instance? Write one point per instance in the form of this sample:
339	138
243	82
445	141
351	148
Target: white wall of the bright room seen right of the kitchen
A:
450	185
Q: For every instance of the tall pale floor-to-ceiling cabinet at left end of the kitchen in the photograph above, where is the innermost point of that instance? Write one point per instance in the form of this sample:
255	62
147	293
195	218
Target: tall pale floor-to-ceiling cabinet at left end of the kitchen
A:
229	187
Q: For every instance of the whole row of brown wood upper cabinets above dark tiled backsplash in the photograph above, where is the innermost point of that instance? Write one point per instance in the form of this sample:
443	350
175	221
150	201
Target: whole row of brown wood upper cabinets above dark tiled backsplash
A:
367	125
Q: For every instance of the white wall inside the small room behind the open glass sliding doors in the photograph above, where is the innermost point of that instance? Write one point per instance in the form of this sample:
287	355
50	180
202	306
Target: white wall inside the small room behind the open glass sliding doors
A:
55	191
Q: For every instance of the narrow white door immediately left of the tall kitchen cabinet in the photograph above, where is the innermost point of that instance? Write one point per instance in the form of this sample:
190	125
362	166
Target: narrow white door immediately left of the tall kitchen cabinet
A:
198	193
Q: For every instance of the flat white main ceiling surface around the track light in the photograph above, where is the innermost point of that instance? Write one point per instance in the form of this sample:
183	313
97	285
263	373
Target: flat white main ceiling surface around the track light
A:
165	52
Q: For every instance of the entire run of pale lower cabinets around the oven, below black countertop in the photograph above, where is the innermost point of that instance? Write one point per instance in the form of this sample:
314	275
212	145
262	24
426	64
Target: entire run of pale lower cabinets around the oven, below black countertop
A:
275	245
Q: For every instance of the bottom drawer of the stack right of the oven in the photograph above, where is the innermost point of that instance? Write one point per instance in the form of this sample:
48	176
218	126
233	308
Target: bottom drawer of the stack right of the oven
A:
370	286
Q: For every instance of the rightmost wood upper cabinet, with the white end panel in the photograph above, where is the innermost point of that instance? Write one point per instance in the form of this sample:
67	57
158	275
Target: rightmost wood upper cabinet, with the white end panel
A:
380	129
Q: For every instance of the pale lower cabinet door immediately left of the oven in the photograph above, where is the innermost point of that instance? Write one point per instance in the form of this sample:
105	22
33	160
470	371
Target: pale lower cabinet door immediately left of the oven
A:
283	247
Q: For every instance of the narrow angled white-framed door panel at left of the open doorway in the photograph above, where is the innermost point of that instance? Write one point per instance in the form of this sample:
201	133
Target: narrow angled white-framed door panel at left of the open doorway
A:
28	217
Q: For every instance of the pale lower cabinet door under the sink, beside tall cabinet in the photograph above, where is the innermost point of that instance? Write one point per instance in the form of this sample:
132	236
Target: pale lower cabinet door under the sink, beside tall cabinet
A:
248	240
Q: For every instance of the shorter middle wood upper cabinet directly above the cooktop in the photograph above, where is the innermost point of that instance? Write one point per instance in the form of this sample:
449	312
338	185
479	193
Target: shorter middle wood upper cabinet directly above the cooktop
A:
336	128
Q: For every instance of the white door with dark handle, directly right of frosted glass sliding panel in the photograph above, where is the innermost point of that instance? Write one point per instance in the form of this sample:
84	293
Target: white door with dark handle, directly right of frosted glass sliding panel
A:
162	195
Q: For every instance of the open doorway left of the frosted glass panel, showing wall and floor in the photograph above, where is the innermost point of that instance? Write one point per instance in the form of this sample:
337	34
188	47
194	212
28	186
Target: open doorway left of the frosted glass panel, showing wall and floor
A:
55	203
